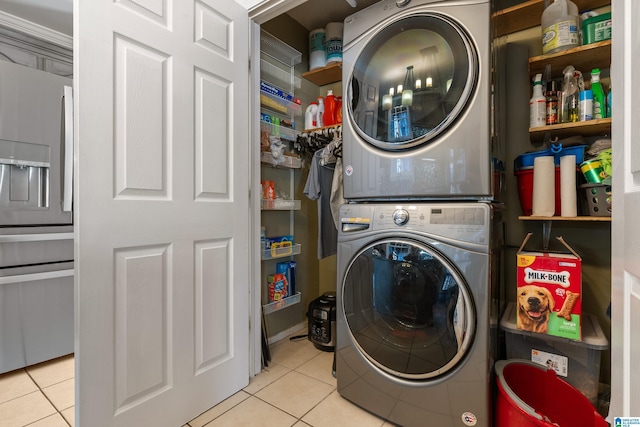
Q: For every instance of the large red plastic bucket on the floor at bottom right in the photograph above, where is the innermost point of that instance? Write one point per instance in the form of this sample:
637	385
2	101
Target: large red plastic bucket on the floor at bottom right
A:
531	396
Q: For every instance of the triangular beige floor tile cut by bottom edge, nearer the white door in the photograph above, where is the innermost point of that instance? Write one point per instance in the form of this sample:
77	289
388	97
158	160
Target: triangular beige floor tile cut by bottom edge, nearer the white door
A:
255	413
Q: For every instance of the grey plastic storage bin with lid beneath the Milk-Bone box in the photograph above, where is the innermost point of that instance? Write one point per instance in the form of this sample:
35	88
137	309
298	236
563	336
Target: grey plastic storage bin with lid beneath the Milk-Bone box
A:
580	361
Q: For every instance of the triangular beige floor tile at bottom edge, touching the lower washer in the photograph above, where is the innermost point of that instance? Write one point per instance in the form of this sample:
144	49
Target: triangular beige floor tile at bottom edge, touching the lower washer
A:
336	411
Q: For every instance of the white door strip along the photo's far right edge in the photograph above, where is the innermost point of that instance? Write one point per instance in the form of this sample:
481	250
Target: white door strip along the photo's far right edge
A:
625	262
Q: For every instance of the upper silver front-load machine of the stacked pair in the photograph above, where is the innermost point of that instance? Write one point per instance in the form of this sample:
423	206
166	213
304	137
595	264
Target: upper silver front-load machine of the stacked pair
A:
416	76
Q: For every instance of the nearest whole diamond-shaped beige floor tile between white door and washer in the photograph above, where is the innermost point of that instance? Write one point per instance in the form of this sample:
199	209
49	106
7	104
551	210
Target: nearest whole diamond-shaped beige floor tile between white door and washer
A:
295	393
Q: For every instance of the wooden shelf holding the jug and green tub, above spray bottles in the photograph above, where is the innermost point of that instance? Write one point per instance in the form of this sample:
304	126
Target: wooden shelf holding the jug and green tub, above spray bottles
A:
583	58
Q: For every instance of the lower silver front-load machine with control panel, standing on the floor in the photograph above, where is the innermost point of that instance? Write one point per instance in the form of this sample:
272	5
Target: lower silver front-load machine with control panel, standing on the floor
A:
415	287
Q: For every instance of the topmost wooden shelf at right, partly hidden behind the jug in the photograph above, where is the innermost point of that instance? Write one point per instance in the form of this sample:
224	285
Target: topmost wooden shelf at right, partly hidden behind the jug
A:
527	15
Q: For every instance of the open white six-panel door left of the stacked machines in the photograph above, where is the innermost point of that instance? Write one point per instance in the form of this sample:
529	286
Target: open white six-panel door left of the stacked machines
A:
162	208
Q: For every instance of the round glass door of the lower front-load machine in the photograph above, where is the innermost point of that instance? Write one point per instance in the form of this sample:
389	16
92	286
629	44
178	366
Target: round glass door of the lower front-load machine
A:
407	309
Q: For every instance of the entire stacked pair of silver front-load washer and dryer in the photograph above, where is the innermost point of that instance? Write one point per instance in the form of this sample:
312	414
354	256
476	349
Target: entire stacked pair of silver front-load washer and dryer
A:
419	236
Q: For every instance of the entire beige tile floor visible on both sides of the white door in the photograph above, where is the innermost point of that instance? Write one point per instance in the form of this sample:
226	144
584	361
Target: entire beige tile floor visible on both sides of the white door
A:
43	395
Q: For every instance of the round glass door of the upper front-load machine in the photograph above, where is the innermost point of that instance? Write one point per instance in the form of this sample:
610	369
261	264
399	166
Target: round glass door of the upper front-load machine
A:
411	81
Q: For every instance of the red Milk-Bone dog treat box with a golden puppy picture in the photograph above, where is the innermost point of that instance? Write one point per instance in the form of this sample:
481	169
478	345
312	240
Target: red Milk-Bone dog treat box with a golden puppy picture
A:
549	294
